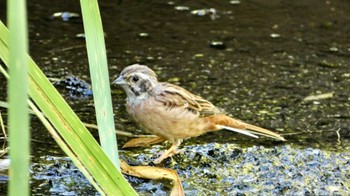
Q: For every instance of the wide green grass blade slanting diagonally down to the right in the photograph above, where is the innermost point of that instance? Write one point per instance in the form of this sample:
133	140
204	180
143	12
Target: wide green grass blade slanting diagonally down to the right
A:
70	128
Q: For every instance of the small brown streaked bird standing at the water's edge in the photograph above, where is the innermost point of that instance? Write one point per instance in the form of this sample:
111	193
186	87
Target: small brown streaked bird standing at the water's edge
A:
173	113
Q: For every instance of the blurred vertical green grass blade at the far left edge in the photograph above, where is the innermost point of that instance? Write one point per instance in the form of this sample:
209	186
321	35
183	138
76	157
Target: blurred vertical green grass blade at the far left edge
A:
17	98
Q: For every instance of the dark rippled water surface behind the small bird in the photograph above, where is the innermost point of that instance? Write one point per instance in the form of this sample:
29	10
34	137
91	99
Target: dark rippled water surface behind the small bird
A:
258	60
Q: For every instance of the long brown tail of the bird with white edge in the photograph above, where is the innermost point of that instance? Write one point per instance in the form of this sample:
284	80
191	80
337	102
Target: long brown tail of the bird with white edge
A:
225	122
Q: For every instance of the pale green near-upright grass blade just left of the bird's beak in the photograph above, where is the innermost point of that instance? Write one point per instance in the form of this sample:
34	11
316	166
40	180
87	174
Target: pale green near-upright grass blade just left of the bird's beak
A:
100	78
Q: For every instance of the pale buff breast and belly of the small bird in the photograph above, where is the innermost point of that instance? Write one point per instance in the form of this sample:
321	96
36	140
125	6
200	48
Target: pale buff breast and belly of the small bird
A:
169	122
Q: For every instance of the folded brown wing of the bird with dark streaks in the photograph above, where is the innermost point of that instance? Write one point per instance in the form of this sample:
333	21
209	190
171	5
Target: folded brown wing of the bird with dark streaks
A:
175	96
